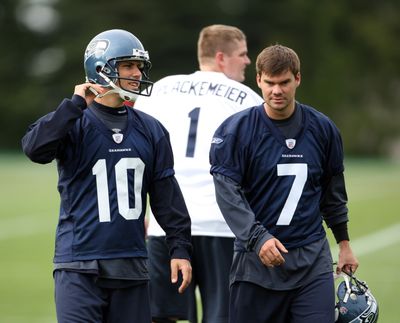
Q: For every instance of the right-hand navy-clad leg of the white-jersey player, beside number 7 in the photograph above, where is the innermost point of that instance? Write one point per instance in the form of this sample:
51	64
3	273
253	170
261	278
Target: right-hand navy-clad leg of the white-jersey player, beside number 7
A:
212	259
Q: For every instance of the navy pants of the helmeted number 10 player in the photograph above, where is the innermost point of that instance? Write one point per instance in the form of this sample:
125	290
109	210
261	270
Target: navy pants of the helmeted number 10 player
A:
80	300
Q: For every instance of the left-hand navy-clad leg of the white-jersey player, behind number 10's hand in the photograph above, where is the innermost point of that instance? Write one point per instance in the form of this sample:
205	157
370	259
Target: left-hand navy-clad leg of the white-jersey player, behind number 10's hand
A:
165	300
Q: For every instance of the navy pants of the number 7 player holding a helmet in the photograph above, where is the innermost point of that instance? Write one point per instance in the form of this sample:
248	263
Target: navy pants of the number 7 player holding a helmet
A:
314	302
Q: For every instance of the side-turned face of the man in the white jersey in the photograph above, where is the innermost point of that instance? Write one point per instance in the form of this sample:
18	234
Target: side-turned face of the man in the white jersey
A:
235	64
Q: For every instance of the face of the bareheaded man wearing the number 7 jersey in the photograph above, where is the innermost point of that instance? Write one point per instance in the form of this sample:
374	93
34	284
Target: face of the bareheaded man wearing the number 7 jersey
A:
279	92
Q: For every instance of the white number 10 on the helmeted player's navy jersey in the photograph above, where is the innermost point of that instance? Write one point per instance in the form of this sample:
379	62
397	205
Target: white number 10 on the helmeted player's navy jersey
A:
121	178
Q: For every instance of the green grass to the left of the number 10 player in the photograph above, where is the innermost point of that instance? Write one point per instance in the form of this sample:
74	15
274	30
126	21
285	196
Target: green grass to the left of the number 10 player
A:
28	216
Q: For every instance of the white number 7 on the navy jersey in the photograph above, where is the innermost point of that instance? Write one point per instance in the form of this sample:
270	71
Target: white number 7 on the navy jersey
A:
300	173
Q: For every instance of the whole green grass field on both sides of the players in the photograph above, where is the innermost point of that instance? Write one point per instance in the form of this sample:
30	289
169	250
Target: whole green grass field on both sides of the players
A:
28	216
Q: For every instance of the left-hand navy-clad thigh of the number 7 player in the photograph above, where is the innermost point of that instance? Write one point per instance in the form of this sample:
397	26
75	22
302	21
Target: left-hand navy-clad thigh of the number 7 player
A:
252	303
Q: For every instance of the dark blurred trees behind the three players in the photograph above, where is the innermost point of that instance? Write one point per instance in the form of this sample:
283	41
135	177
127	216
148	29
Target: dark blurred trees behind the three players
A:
349	50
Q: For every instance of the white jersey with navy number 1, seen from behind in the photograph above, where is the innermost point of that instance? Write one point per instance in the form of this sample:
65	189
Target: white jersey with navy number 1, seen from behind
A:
191	107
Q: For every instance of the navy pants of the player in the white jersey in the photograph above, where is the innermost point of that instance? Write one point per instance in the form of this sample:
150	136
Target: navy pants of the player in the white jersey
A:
211	262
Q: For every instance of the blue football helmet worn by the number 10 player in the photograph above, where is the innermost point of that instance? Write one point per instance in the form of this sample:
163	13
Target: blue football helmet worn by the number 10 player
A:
102	56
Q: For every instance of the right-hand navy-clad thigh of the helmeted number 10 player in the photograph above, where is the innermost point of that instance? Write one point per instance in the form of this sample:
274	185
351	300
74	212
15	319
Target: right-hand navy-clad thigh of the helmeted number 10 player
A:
130	305
